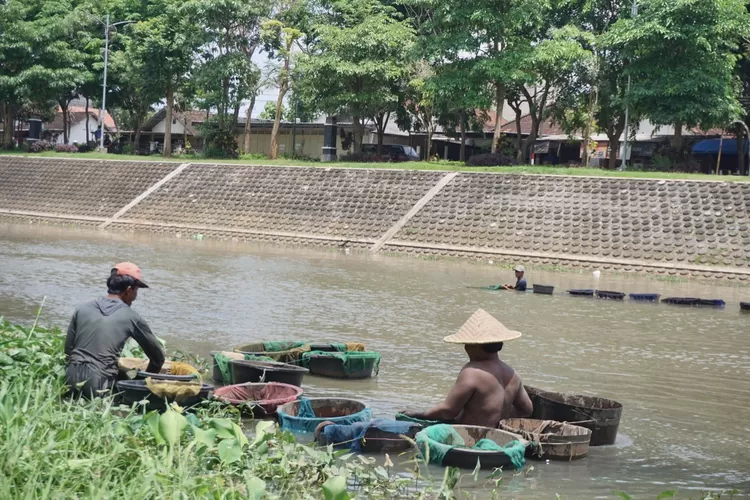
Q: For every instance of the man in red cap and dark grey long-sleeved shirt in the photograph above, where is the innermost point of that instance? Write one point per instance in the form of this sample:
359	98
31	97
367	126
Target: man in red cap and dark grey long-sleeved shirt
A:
98	332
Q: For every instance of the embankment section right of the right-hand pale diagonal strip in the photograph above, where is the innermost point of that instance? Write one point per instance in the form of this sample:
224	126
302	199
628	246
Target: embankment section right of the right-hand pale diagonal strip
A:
679	222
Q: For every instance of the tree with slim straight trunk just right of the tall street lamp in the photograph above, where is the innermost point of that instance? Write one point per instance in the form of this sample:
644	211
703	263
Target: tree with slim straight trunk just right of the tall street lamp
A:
164	47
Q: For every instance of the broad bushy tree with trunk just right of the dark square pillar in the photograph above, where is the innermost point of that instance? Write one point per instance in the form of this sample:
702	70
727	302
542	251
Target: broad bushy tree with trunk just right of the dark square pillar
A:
360	52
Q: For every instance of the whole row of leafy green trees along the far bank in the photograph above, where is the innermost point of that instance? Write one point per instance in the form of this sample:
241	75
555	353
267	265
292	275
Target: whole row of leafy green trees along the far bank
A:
418	63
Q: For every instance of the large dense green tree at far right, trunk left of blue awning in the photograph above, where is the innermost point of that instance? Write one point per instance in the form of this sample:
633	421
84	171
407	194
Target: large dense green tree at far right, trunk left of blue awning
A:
681	56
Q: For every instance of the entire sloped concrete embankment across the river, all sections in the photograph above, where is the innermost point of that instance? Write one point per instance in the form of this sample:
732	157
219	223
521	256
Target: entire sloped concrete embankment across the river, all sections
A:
668	227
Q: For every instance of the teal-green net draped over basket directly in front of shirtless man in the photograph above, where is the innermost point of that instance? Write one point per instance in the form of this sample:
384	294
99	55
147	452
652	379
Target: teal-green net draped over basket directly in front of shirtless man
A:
437	440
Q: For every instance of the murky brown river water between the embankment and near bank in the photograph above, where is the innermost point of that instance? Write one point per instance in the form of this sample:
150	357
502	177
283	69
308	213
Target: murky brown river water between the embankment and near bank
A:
682	373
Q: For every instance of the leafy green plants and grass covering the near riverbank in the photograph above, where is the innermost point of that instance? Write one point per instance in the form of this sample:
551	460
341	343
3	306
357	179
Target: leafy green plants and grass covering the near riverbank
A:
93	449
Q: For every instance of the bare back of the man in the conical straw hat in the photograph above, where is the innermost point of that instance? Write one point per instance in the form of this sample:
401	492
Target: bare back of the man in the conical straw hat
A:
496	386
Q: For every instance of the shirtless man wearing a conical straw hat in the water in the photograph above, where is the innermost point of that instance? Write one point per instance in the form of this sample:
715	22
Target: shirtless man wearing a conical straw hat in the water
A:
487	389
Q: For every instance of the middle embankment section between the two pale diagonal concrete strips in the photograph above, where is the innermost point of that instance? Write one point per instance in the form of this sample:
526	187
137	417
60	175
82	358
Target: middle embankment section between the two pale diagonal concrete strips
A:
338	203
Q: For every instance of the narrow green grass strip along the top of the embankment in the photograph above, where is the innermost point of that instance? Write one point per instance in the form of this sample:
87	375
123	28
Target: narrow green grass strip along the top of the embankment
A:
445	166
